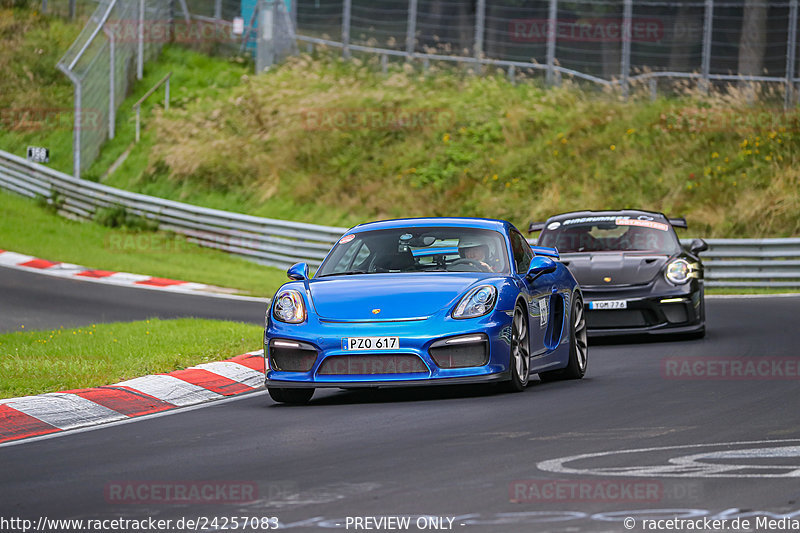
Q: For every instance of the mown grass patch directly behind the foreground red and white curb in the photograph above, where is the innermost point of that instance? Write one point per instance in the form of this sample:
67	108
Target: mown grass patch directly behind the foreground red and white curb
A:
63	359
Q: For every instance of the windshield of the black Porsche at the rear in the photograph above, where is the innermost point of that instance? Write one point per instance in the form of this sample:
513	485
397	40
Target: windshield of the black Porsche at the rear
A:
610	234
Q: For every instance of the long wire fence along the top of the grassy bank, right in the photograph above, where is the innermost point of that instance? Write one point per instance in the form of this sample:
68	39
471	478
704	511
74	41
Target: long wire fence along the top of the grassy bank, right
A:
609	42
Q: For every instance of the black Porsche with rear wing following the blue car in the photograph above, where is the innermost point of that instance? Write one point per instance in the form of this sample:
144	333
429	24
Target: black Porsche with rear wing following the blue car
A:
635	276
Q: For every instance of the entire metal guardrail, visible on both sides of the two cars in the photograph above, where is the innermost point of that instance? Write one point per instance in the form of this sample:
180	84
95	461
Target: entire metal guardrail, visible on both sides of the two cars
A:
773	263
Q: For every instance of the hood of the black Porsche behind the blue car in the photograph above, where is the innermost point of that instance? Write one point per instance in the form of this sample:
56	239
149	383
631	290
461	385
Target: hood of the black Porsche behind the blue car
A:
595	269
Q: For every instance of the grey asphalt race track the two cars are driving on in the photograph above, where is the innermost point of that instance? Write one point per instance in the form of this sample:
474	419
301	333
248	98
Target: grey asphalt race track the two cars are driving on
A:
713	447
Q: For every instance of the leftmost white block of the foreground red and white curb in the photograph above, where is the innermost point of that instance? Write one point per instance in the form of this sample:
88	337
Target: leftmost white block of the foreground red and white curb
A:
64	410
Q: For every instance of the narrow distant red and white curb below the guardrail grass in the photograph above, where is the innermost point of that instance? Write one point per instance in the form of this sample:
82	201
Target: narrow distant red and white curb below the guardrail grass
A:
69	270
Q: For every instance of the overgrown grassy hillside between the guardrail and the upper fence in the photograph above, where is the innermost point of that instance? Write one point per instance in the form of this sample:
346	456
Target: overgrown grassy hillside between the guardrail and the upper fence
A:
324	141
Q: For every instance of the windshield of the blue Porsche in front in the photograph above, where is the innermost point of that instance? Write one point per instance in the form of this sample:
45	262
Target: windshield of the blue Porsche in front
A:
445	249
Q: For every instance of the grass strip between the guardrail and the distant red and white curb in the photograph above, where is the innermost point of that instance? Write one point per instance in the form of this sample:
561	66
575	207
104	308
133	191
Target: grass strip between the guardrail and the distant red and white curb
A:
29	229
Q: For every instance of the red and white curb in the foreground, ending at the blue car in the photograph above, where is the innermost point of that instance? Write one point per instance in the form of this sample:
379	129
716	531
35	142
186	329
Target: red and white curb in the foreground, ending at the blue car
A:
32	416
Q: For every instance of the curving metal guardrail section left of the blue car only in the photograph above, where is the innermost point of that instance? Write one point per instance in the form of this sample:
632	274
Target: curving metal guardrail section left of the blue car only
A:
268	241
